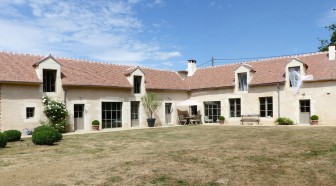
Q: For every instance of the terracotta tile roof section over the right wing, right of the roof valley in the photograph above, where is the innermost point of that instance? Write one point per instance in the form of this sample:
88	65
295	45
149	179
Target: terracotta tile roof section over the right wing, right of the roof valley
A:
266	71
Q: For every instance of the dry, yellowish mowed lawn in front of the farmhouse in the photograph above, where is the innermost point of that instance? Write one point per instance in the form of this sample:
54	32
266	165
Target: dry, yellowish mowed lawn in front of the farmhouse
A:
187	155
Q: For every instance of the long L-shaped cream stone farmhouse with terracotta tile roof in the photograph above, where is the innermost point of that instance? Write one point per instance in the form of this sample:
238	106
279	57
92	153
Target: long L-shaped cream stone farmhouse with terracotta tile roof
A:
271	88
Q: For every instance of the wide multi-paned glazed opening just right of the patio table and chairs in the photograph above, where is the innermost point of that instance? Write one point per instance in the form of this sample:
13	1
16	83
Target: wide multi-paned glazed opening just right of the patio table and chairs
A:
211	111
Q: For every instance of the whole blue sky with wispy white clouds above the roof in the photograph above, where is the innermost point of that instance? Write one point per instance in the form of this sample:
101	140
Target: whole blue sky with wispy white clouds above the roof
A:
164	33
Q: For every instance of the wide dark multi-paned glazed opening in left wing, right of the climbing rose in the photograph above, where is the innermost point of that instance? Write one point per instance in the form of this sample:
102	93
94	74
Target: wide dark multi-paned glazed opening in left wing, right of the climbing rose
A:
111	114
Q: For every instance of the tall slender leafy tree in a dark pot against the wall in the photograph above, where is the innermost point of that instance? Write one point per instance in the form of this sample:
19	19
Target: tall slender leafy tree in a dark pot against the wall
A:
151	102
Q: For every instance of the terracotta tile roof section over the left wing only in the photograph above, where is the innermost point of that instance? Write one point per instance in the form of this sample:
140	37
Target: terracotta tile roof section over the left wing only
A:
19	68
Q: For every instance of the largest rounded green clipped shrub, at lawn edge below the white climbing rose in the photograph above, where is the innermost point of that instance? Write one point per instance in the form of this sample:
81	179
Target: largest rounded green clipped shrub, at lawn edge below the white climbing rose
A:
46	135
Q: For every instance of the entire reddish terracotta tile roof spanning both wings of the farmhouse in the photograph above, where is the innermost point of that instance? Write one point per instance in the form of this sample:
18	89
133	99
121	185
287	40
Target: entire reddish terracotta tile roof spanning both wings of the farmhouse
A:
19	68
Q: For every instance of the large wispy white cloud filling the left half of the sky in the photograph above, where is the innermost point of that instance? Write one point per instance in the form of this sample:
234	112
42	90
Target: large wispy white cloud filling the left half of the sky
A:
104	30
